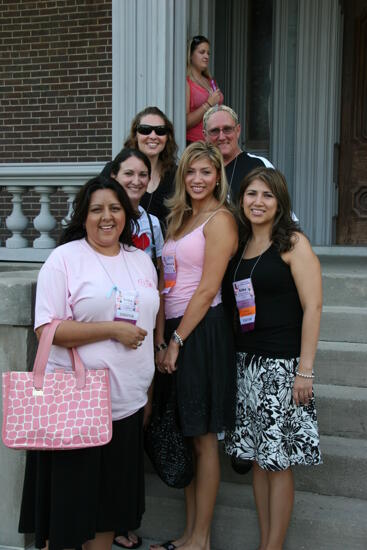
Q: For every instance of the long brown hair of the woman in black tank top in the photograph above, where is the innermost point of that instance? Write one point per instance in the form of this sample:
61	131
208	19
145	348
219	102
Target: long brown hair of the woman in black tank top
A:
284	227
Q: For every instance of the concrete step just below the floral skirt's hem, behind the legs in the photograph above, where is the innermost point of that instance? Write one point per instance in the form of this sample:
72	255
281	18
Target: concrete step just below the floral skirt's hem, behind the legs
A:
343	473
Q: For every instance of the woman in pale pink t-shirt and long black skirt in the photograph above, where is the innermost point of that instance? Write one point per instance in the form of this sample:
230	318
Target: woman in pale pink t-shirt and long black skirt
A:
85	496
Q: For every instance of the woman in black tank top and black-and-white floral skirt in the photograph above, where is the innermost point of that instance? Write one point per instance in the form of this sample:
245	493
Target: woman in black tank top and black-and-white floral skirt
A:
272	290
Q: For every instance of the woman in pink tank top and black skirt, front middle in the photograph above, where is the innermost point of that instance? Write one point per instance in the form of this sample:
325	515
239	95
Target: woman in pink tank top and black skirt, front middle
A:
201	238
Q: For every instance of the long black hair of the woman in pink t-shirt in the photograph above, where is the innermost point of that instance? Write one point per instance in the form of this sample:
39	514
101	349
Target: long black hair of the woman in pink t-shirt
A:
75	229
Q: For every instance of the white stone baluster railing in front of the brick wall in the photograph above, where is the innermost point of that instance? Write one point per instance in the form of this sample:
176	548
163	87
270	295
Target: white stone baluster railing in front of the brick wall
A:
45	180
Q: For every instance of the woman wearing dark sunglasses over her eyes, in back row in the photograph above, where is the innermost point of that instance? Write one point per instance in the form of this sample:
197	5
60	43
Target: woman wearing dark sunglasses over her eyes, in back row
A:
153	134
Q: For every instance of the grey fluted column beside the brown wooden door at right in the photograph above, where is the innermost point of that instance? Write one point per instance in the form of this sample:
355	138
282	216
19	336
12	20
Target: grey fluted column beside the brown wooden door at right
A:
317	108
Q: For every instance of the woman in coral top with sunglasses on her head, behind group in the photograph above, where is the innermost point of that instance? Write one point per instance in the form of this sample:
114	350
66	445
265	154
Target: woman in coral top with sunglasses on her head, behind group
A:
202	91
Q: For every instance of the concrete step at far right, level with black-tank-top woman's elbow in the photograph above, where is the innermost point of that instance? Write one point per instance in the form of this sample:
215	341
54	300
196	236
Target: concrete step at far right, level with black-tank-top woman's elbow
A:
344	289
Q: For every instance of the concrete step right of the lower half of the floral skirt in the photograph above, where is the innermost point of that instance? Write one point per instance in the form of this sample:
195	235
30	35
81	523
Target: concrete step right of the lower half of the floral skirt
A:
342	410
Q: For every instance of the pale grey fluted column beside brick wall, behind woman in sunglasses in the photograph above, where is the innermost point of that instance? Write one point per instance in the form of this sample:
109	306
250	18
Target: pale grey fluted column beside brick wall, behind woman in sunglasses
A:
148	66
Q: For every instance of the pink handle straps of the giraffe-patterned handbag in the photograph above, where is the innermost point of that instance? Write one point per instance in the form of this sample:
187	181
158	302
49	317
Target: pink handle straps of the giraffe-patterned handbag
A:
43	352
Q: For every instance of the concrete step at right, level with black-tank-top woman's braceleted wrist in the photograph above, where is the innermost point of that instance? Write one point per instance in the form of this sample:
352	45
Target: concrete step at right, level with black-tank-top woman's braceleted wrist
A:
341	363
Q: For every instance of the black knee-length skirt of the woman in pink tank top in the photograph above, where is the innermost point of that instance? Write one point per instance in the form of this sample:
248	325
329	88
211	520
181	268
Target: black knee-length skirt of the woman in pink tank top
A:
206	375
